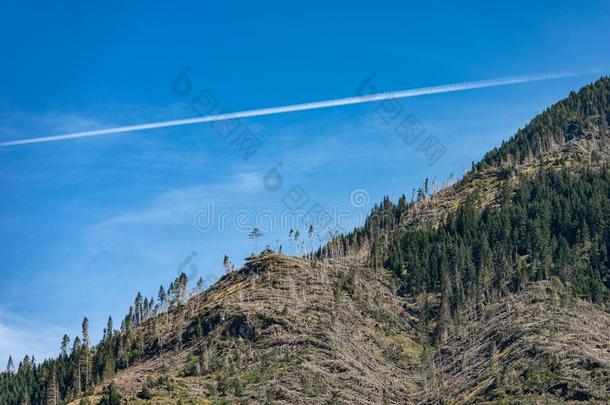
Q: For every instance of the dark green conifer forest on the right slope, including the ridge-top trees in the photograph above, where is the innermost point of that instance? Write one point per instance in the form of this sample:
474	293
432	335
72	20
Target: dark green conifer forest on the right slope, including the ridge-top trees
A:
552	222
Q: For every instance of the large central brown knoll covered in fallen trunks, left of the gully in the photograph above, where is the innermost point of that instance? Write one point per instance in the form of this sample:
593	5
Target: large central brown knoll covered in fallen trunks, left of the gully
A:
284	330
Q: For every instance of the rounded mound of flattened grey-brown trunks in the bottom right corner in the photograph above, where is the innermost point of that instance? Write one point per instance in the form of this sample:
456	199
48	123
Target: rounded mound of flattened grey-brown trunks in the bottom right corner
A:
540	344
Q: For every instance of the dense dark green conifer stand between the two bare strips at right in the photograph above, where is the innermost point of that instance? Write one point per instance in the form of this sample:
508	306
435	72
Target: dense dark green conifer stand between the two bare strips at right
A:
556	225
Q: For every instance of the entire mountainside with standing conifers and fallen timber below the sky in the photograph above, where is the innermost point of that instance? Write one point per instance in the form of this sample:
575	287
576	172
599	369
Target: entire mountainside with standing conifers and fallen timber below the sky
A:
492	289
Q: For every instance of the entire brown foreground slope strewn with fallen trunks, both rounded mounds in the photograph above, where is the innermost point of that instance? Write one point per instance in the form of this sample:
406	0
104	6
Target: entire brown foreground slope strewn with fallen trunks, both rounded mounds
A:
285	331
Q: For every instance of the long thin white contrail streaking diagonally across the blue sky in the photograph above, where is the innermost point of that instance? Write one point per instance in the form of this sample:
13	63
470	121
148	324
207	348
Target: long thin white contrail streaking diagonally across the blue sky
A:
422	91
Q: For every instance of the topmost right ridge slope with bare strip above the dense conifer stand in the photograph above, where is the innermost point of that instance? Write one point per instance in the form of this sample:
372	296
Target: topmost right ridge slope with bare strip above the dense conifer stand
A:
573	132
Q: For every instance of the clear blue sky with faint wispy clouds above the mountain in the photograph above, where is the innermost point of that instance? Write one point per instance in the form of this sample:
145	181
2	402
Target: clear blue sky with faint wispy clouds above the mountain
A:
86	224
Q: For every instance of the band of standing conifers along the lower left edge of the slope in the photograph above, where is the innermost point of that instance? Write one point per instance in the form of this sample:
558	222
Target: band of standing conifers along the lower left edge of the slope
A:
80	367
